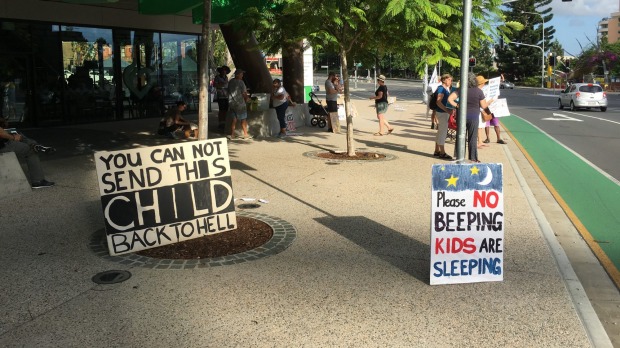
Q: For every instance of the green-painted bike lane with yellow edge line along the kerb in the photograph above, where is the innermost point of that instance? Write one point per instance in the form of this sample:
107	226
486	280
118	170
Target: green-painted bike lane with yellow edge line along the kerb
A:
590	199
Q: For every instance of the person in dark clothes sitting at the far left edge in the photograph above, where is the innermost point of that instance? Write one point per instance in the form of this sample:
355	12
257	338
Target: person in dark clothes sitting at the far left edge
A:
27	150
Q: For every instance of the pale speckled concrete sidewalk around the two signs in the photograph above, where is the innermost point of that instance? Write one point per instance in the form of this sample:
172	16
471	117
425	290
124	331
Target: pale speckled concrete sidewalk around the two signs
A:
355	275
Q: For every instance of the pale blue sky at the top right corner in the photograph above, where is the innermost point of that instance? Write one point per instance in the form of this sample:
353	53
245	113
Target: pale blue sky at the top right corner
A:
577	21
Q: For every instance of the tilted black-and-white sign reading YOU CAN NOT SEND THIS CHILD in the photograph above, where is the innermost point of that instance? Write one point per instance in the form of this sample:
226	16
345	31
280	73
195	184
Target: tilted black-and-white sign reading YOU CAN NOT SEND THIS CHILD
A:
166	194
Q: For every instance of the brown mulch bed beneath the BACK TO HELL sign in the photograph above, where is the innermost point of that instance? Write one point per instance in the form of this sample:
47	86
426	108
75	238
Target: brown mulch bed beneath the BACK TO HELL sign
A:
249	234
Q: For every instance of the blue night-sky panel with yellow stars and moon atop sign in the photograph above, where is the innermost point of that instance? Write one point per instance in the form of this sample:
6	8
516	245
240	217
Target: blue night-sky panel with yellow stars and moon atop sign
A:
462	177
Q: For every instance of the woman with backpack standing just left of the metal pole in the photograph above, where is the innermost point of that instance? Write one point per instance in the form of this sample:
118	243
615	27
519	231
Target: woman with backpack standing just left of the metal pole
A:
439	102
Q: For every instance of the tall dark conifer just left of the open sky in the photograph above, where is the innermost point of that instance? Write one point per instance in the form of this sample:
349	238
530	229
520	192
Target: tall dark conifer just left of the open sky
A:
519	62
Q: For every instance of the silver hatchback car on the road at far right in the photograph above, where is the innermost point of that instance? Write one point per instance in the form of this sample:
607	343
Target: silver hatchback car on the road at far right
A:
583	95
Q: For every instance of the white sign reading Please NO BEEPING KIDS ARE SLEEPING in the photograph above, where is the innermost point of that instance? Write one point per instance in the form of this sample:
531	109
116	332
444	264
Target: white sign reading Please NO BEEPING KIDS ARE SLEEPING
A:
467	223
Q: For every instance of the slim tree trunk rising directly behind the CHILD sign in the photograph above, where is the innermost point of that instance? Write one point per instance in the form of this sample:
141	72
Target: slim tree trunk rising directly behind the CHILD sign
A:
203	92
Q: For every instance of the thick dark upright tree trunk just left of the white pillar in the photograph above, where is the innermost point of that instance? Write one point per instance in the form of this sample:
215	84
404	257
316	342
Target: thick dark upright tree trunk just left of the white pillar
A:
293	71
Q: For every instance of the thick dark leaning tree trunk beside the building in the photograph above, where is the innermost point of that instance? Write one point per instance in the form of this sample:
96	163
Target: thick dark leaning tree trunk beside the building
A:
247	56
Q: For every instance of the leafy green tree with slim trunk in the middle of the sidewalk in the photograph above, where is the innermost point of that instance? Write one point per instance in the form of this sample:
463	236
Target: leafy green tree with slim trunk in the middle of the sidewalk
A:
423	31
